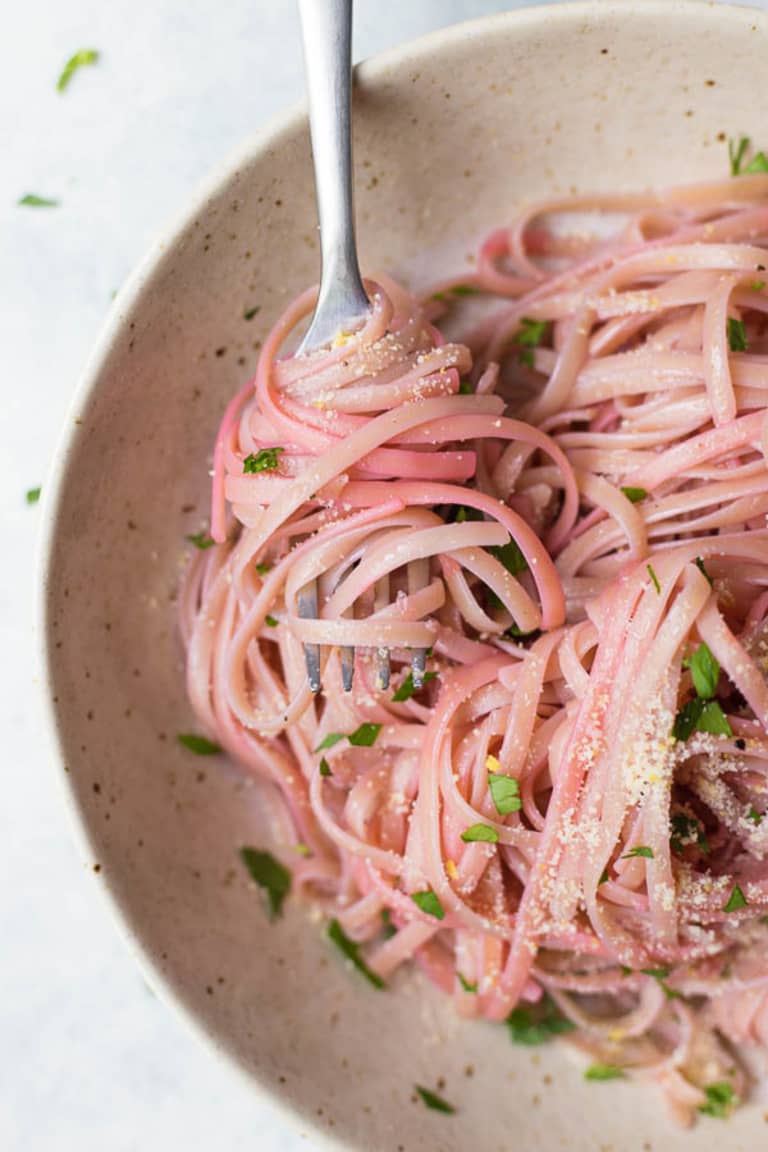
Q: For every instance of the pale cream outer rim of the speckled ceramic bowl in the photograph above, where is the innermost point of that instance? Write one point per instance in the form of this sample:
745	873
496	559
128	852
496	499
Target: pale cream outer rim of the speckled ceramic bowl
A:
270	135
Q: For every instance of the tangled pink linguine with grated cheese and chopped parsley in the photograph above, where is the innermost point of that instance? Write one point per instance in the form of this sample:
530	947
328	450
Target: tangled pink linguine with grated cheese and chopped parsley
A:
568	448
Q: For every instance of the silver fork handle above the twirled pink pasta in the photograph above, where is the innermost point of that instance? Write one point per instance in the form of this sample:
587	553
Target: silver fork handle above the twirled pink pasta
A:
328	36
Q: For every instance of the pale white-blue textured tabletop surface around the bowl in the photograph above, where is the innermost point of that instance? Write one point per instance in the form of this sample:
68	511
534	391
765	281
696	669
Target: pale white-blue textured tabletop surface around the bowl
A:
89	1059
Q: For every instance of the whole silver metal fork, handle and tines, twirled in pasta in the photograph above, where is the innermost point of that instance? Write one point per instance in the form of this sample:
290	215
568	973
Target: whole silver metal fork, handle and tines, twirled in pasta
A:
343	302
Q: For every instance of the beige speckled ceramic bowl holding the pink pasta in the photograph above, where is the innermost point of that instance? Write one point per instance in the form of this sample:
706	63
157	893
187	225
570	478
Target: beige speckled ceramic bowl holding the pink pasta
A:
451	133
